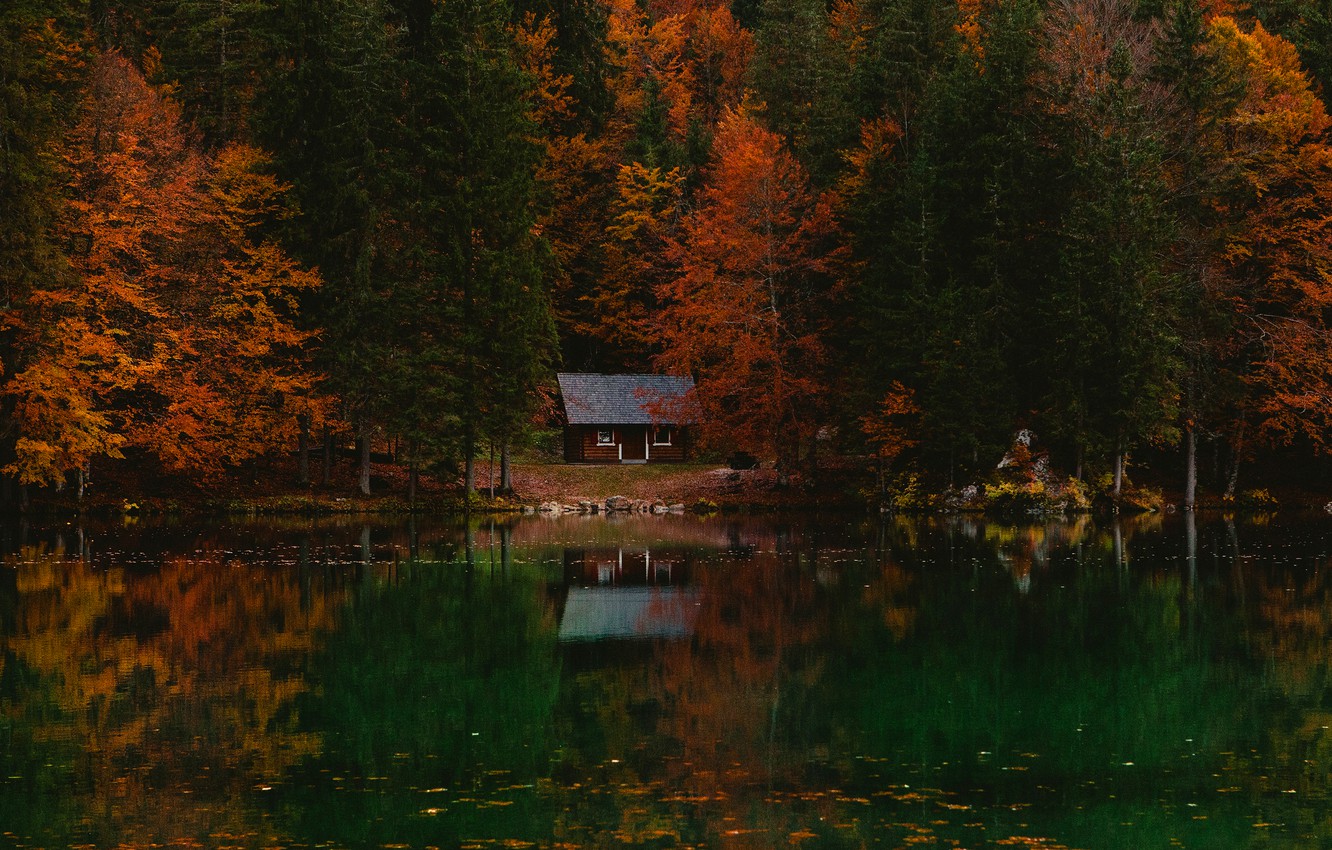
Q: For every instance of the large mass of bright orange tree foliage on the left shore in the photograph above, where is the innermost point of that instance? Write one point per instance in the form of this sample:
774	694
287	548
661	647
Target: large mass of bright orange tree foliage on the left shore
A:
174	328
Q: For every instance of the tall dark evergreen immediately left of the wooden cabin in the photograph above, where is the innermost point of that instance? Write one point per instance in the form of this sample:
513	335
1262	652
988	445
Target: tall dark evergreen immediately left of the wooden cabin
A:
483	264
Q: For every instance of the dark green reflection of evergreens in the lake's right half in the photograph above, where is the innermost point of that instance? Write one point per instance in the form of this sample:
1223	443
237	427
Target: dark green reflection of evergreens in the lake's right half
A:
1096	681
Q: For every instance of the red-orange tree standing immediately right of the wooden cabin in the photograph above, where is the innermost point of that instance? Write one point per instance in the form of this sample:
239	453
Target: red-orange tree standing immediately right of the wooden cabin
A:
757	270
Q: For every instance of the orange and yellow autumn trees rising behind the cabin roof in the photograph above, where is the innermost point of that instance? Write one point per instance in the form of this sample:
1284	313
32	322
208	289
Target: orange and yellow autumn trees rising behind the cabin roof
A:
613	191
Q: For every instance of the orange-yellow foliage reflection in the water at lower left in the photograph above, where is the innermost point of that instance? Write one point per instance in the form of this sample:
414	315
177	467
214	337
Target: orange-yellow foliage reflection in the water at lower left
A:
142	661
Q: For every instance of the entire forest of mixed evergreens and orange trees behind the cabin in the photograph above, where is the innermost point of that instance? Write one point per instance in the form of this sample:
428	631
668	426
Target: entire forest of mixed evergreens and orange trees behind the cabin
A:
898	230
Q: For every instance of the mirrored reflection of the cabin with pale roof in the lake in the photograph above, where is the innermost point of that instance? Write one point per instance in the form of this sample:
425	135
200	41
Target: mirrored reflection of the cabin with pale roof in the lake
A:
619	595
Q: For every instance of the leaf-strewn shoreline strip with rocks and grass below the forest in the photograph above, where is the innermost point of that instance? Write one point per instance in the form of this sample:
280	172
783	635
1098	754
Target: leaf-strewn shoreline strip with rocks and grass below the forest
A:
844	486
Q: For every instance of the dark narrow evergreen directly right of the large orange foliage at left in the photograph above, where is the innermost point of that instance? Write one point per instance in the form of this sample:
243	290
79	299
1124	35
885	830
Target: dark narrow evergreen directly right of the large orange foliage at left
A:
328	121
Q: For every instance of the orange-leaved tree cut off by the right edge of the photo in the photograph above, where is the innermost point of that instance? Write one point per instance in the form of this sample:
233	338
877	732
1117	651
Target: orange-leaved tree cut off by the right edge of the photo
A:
1278	262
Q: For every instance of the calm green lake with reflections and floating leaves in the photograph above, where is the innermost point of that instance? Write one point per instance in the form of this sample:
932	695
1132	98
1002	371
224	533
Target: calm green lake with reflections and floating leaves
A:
668	683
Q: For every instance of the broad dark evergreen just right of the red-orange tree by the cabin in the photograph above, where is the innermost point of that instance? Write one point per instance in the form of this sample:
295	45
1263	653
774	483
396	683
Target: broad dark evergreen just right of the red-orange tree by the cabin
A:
970	240
